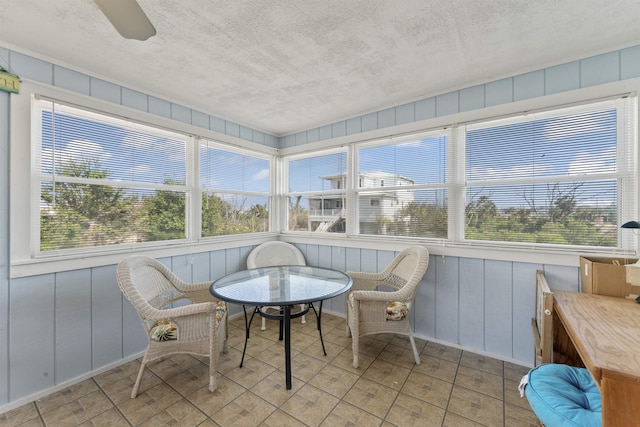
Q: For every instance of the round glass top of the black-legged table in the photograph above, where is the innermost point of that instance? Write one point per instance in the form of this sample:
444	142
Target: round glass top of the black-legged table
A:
285	285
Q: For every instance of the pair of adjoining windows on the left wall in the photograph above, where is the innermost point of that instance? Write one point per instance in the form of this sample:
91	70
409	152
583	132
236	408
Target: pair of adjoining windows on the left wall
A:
106	181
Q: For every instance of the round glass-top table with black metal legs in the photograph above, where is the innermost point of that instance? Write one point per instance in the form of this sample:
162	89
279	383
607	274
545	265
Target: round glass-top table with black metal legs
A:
283	286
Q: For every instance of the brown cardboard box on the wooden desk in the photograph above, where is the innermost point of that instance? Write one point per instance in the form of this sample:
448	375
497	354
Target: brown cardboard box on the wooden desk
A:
606	276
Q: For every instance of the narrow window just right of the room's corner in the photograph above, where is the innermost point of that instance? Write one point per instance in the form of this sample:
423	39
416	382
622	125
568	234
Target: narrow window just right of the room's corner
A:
315	199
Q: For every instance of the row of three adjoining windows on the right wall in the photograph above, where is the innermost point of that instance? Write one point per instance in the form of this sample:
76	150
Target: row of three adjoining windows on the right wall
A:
564	177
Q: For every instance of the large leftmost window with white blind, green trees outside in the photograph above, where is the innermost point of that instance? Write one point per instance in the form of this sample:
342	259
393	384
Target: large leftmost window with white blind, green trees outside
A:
106	180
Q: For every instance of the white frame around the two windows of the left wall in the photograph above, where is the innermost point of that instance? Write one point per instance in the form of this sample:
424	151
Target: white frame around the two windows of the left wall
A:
24	238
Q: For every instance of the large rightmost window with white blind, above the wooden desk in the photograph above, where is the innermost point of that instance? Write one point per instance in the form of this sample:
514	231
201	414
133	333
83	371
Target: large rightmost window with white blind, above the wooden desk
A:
550	178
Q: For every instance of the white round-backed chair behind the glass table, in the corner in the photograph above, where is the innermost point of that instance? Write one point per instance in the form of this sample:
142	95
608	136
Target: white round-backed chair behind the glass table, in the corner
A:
272	254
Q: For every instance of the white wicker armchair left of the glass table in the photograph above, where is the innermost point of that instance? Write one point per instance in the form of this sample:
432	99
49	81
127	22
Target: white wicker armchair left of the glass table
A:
199	328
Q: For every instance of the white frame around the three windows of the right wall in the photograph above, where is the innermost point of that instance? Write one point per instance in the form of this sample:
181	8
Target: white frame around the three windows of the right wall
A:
456	184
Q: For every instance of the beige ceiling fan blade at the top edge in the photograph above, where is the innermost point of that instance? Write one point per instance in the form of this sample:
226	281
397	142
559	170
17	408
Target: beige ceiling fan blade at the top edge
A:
128	18
